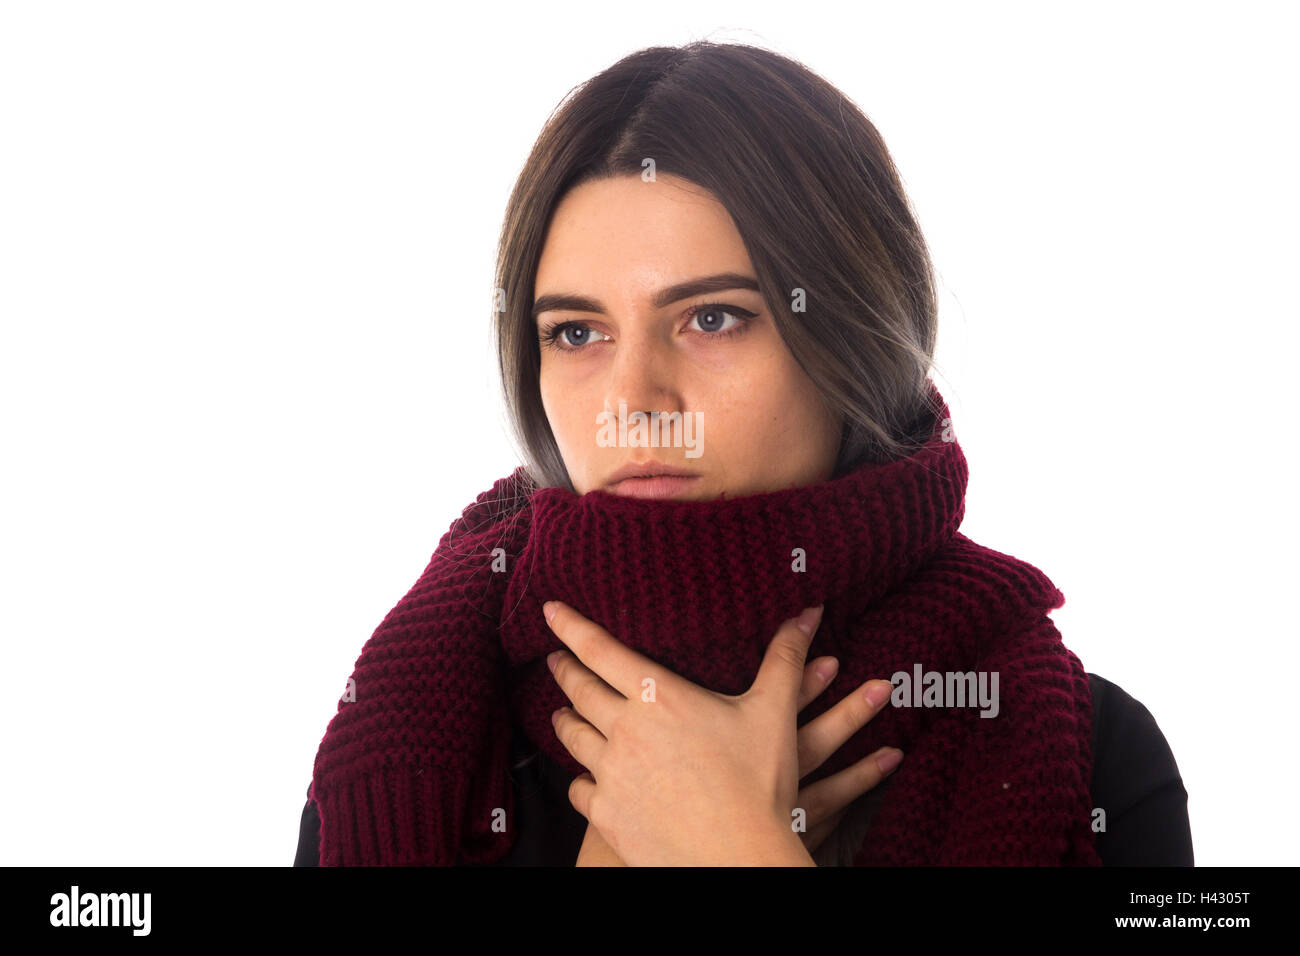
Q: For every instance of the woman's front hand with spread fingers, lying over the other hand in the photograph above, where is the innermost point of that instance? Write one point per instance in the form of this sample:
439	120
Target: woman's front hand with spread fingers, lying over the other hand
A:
681	776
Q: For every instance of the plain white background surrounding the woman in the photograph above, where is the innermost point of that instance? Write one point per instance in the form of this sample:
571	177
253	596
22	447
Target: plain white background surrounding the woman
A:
246	258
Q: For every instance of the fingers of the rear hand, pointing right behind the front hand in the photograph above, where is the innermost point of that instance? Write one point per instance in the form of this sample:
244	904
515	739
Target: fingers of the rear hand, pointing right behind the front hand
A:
826	802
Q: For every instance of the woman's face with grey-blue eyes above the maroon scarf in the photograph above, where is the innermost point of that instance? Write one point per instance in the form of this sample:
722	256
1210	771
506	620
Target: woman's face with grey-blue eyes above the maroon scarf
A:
748	419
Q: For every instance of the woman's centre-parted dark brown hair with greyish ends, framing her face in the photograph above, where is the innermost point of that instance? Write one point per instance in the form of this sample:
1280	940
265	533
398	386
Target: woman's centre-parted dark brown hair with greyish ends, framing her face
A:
817	201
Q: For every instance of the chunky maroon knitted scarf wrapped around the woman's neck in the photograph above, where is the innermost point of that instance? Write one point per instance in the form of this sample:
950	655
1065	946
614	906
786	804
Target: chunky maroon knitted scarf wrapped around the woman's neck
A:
414	767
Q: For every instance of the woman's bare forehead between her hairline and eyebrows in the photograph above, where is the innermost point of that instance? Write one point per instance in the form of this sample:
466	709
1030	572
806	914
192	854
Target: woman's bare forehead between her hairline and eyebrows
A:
629	236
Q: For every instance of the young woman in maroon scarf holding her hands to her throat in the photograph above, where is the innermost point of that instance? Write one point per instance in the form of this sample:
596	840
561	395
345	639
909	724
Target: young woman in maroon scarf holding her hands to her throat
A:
717	318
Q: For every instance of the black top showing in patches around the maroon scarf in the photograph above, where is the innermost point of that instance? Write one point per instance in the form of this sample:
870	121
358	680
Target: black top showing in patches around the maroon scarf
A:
1136	781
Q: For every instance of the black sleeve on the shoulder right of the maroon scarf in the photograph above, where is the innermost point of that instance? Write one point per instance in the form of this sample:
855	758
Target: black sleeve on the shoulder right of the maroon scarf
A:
1136	781
